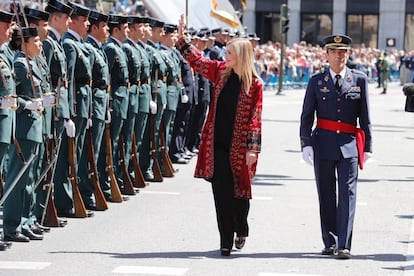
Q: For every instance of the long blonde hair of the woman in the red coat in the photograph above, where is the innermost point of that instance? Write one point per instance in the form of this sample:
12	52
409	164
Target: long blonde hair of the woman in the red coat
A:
245	62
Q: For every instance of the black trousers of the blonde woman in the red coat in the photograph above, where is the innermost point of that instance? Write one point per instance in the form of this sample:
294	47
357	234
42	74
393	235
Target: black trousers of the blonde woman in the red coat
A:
231	212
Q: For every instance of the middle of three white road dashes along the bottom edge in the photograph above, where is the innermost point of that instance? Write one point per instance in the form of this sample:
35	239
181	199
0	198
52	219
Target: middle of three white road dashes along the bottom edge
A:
150	270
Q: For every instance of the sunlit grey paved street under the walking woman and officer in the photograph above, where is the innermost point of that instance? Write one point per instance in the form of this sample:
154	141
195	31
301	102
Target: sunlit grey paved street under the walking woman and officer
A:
170	228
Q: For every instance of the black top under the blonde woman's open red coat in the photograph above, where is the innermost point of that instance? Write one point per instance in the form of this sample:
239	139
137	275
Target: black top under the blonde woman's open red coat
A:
226	112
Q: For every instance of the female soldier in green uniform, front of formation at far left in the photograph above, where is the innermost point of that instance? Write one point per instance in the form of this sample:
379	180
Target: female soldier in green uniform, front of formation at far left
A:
26	43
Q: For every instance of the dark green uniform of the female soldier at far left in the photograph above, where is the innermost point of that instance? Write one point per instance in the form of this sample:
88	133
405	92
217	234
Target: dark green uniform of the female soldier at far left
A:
29	135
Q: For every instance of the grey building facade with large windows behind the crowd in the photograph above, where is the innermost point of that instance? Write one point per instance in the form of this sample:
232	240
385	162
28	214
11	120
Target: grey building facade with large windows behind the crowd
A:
375	23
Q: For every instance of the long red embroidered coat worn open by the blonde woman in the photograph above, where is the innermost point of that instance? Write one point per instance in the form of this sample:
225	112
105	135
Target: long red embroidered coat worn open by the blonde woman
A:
247	125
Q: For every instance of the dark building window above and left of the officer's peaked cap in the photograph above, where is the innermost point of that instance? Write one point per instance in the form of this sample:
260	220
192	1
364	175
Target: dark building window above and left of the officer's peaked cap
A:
314	27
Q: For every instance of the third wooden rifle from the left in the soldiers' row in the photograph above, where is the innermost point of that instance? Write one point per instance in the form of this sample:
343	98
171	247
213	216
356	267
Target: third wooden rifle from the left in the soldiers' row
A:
100	201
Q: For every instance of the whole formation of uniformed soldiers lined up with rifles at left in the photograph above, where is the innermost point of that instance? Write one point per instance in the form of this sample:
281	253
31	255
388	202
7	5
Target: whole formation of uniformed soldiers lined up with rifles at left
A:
104	103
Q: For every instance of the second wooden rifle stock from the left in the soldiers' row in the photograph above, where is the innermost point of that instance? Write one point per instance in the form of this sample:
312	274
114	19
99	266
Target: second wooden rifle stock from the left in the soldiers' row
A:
80	210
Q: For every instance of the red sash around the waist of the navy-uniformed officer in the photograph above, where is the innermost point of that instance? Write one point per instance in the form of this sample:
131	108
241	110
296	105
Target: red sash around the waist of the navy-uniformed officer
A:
339	127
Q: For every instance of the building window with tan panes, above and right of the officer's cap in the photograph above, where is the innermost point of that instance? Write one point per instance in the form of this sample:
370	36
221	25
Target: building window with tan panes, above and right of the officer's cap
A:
363	28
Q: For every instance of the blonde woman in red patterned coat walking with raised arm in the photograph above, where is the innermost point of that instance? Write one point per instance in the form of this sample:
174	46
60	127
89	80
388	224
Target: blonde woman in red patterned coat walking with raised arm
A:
231	137
